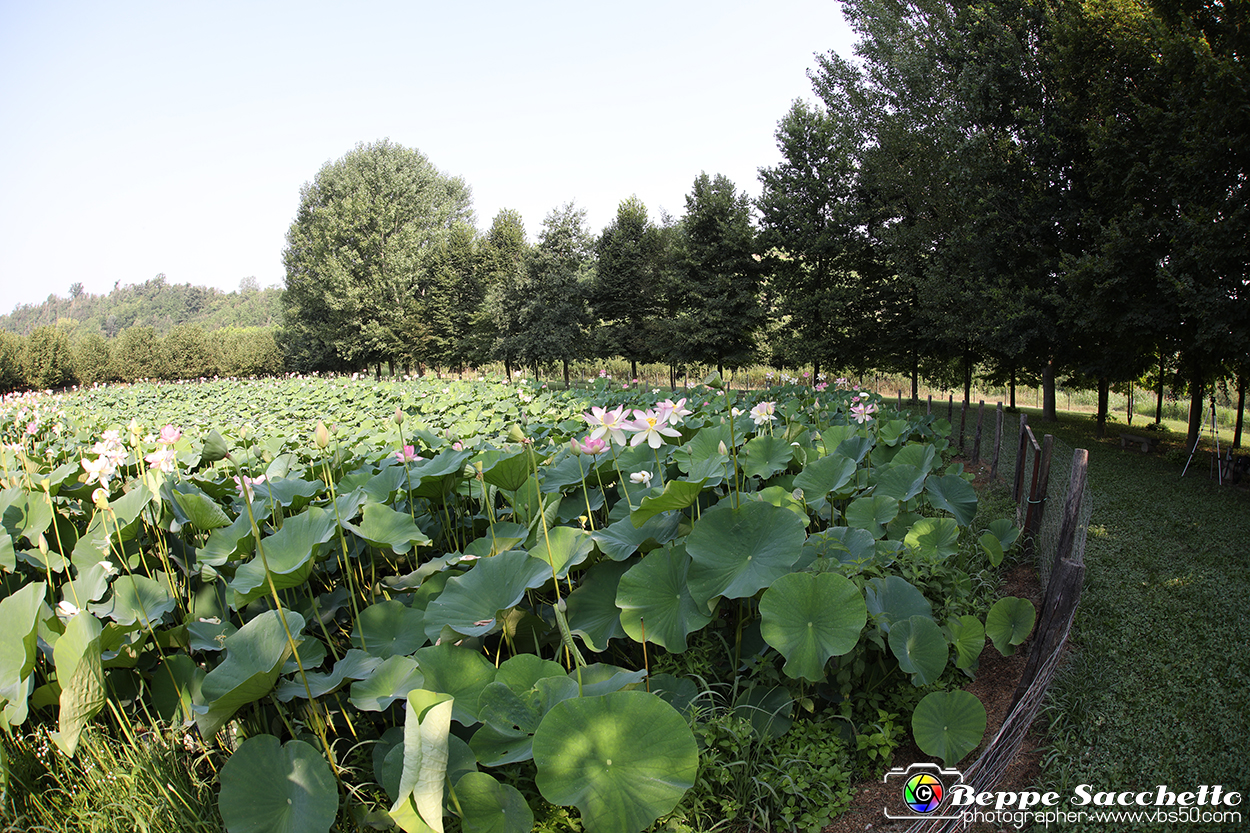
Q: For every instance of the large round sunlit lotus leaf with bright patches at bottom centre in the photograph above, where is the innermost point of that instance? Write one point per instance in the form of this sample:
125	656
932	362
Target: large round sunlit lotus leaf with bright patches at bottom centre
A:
623	760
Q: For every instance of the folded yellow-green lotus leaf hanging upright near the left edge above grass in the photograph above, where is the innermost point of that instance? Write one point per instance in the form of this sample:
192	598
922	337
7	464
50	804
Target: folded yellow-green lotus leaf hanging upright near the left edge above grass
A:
77	657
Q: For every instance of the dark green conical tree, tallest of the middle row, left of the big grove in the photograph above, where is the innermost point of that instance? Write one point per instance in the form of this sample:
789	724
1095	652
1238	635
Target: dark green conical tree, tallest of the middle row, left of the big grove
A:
719	276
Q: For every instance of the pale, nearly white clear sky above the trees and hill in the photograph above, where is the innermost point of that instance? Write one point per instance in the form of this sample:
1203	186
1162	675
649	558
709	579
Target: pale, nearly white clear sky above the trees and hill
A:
144	138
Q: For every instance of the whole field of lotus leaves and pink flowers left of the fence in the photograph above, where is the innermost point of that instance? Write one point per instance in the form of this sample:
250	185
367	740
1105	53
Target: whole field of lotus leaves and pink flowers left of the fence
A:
437	605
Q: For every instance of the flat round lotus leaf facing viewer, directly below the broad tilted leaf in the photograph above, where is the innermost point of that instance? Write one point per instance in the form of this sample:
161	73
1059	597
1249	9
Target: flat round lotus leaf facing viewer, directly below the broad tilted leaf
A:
812	617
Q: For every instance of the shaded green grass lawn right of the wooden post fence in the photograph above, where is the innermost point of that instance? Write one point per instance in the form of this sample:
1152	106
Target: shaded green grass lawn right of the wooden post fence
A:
1158	687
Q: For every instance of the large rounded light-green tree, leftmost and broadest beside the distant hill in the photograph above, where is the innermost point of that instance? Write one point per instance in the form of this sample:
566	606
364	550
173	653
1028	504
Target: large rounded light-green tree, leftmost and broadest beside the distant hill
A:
357	256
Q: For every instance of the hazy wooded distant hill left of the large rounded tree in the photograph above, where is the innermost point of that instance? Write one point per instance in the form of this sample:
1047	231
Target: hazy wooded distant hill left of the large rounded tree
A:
154	303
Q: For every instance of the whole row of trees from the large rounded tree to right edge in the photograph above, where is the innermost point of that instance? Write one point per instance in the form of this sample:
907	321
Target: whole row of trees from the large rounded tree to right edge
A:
1027	191
